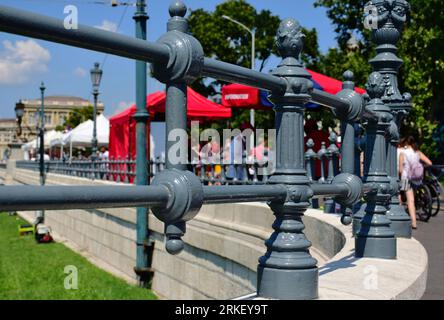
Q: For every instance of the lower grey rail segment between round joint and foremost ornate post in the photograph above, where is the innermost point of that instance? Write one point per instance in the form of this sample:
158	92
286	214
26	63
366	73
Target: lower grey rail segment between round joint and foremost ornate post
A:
234	194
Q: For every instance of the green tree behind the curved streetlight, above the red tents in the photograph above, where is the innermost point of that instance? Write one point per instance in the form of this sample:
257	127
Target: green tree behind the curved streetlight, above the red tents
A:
227	41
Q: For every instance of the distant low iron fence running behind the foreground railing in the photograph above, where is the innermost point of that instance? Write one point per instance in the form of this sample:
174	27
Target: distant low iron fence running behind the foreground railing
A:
322	167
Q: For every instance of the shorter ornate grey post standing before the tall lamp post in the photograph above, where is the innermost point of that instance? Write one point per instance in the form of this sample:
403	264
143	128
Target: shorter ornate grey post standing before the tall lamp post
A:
375	238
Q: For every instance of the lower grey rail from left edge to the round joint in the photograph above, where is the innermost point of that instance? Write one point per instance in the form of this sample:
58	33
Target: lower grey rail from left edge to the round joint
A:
23	198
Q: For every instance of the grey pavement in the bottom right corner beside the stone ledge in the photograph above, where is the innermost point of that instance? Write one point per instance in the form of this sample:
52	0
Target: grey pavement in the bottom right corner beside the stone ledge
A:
431	236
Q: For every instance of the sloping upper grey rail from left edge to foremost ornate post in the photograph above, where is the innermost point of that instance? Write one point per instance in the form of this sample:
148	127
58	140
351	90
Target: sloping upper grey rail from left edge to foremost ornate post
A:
47	28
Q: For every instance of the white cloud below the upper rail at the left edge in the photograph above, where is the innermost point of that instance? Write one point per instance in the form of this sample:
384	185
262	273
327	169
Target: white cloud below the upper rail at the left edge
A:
22	60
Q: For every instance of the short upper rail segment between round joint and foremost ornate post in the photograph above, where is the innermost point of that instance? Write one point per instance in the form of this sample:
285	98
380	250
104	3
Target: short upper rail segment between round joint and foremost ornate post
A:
233	73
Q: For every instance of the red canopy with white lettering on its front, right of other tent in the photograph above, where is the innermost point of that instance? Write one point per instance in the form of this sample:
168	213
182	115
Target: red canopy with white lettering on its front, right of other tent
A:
240	96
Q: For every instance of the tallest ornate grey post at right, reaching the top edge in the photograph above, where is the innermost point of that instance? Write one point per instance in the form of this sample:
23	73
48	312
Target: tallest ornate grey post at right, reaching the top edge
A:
386	36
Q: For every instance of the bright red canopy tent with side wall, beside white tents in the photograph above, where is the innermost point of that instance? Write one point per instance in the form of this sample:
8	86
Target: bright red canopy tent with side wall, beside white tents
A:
122	136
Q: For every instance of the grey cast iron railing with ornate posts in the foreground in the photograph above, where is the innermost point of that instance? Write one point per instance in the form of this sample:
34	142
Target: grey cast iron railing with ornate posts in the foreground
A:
286	270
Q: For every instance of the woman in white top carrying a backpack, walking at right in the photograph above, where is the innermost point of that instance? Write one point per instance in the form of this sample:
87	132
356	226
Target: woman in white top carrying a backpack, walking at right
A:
411	170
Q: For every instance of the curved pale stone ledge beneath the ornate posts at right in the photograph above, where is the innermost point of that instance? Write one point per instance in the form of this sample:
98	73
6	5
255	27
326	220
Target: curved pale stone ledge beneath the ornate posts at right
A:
345	277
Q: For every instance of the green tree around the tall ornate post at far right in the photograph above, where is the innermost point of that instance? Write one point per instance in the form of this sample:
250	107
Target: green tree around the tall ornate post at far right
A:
421	48
